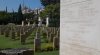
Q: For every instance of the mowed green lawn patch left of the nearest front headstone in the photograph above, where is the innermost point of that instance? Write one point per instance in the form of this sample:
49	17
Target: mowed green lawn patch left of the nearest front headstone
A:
7	42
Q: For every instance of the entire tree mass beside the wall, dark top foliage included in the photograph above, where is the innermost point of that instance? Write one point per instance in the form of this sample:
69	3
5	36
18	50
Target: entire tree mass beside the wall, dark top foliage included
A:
51	9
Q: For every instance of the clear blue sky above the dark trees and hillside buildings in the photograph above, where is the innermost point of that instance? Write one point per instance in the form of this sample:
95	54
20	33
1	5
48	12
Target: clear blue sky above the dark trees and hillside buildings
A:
14	4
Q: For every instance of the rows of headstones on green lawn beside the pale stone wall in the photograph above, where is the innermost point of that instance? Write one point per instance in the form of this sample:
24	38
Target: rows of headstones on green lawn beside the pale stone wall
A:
40	39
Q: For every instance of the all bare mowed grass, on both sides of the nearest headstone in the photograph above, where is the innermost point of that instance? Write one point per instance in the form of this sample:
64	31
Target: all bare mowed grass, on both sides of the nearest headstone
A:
7	42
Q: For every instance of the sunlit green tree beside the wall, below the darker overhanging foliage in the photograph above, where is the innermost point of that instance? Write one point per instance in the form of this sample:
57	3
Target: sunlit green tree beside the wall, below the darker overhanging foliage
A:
54	14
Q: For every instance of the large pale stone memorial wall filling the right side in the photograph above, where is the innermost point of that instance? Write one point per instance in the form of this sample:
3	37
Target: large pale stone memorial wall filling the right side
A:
80	27
